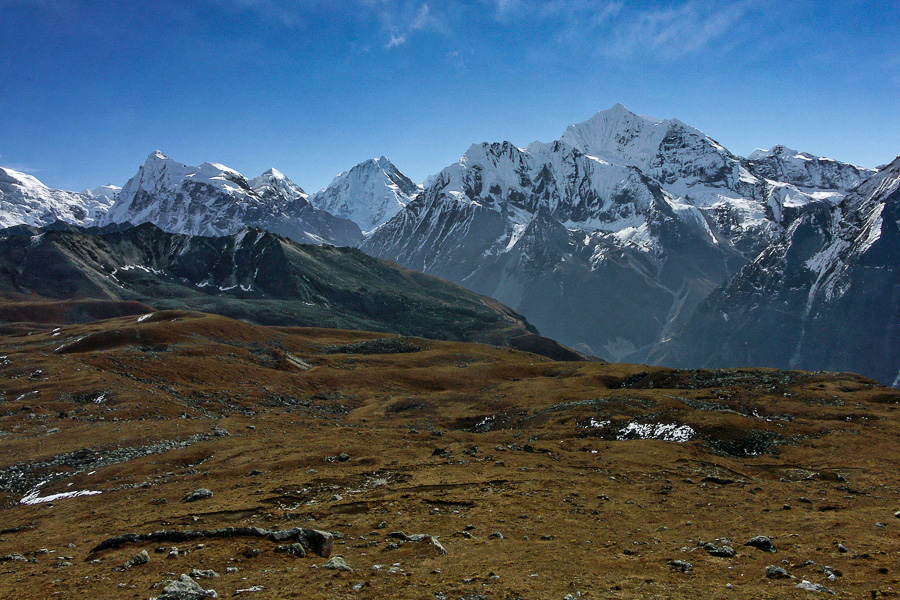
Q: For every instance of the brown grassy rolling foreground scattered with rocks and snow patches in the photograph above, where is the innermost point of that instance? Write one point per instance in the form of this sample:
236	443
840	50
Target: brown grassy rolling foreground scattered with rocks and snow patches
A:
531	473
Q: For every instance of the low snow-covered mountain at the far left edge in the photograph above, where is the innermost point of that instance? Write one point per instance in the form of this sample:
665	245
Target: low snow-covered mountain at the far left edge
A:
24	200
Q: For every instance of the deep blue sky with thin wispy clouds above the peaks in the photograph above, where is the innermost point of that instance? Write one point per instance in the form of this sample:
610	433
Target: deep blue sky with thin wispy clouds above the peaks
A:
89	88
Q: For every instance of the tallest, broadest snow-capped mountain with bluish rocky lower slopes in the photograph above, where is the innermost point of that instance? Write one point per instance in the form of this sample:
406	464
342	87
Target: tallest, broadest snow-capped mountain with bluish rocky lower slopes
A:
606	239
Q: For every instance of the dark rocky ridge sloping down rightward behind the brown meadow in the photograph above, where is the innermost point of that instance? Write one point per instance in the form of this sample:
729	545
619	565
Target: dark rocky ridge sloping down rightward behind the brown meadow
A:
259	277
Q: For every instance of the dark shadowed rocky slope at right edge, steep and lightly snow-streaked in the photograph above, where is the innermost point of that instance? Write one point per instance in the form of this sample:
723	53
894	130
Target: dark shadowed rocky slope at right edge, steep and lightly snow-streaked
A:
825	295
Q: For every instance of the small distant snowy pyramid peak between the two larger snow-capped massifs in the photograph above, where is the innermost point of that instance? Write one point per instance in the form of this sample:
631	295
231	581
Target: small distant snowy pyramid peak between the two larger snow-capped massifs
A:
369	194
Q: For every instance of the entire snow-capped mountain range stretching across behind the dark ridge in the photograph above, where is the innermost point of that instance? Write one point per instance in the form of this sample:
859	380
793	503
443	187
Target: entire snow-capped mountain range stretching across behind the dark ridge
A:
615	239
